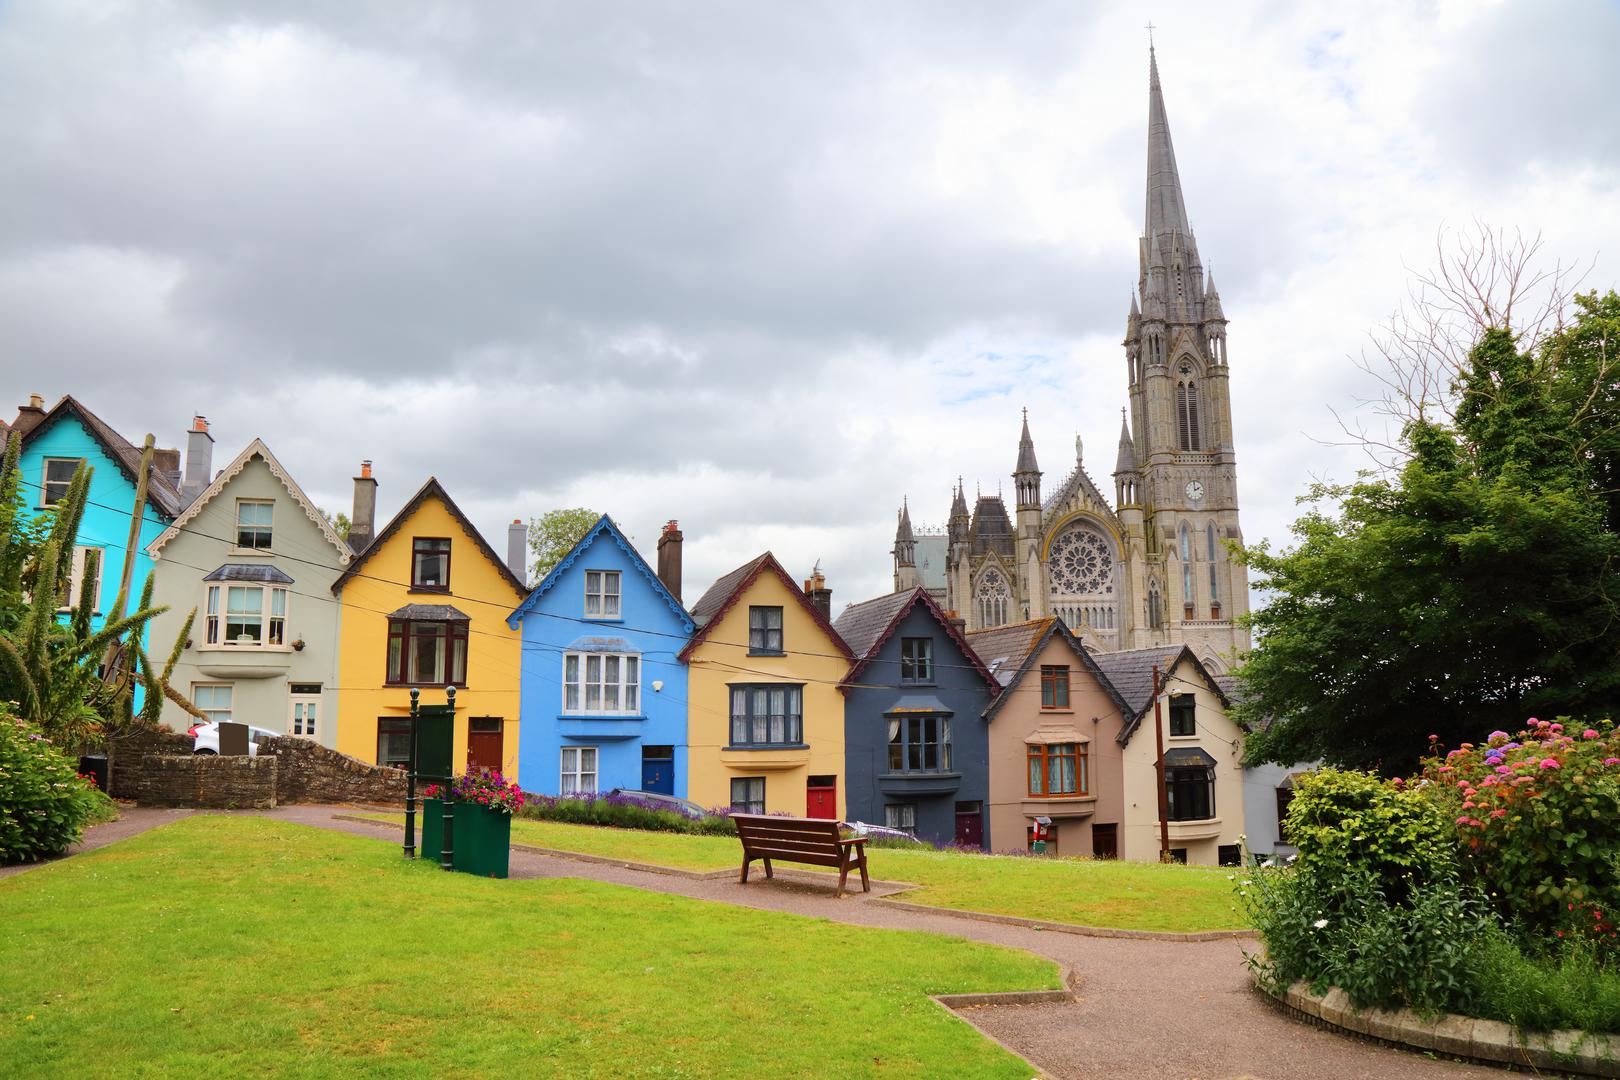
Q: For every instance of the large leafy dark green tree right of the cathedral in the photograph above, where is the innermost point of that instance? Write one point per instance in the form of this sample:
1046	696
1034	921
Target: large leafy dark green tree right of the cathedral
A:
1469	590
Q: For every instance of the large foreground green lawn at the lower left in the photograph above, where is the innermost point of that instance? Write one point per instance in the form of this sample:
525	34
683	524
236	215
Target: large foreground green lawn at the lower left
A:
245	946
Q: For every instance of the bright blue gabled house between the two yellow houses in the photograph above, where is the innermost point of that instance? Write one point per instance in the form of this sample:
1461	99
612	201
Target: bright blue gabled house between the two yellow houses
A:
605	699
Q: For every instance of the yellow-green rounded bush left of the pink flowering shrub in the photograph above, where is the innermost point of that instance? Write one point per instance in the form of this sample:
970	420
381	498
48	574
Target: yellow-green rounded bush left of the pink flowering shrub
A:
1357	823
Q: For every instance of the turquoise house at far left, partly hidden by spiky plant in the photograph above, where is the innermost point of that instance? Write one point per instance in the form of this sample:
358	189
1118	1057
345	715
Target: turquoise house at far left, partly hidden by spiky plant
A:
56	443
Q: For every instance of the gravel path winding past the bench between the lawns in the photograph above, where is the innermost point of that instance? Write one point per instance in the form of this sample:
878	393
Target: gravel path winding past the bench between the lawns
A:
1148	1010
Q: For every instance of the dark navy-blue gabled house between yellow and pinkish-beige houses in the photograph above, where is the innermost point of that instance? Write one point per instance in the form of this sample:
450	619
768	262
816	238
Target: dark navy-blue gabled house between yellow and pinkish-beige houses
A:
918	750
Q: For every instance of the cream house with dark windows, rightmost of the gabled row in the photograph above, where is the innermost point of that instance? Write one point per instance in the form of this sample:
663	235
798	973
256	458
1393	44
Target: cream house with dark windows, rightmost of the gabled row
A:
1203	757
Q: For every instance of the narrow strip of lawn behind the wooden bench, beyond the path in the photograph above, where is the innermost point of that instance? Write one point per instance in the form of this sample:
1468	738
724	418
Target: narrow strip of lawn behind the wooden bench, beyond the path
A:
1081	891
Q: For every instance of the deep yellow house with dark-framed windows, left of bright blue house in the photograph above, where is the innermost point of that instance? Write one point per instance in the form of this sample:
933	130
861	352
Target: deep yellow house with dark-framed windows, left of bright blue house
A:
424	606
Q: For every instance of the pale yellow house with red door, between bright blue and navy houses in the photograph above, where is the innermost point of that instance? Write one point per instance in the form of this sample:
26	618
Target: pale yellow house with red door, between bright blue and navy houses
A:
765	715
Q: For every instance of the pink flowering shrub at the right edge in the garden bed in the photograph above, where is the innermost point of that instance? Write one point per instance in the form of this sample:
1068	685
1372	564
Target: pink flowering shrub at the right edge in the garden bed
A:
1538	825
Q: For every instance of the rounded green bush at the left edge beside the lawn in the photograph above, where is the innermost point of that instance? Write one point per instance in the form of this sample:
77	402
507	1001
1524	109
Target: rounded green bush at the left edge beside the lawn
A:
45	806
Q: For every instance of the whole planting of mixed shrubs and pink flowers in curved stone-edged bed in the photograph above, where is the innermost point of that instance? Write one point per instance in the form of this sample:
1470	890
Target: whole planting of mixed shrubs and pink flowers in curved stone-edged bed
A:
1486	885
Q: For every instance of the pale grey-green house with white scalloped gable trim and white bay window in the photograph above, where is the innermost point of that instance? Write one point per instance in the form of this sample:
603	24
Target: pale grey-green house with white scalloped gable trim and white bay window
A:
255	559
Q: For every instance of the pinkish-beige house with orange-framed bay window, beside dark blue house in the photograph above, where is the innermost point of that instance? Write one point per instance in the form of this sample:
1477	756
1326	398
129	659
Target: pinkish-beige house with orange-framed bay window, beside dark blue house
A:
1055	746
